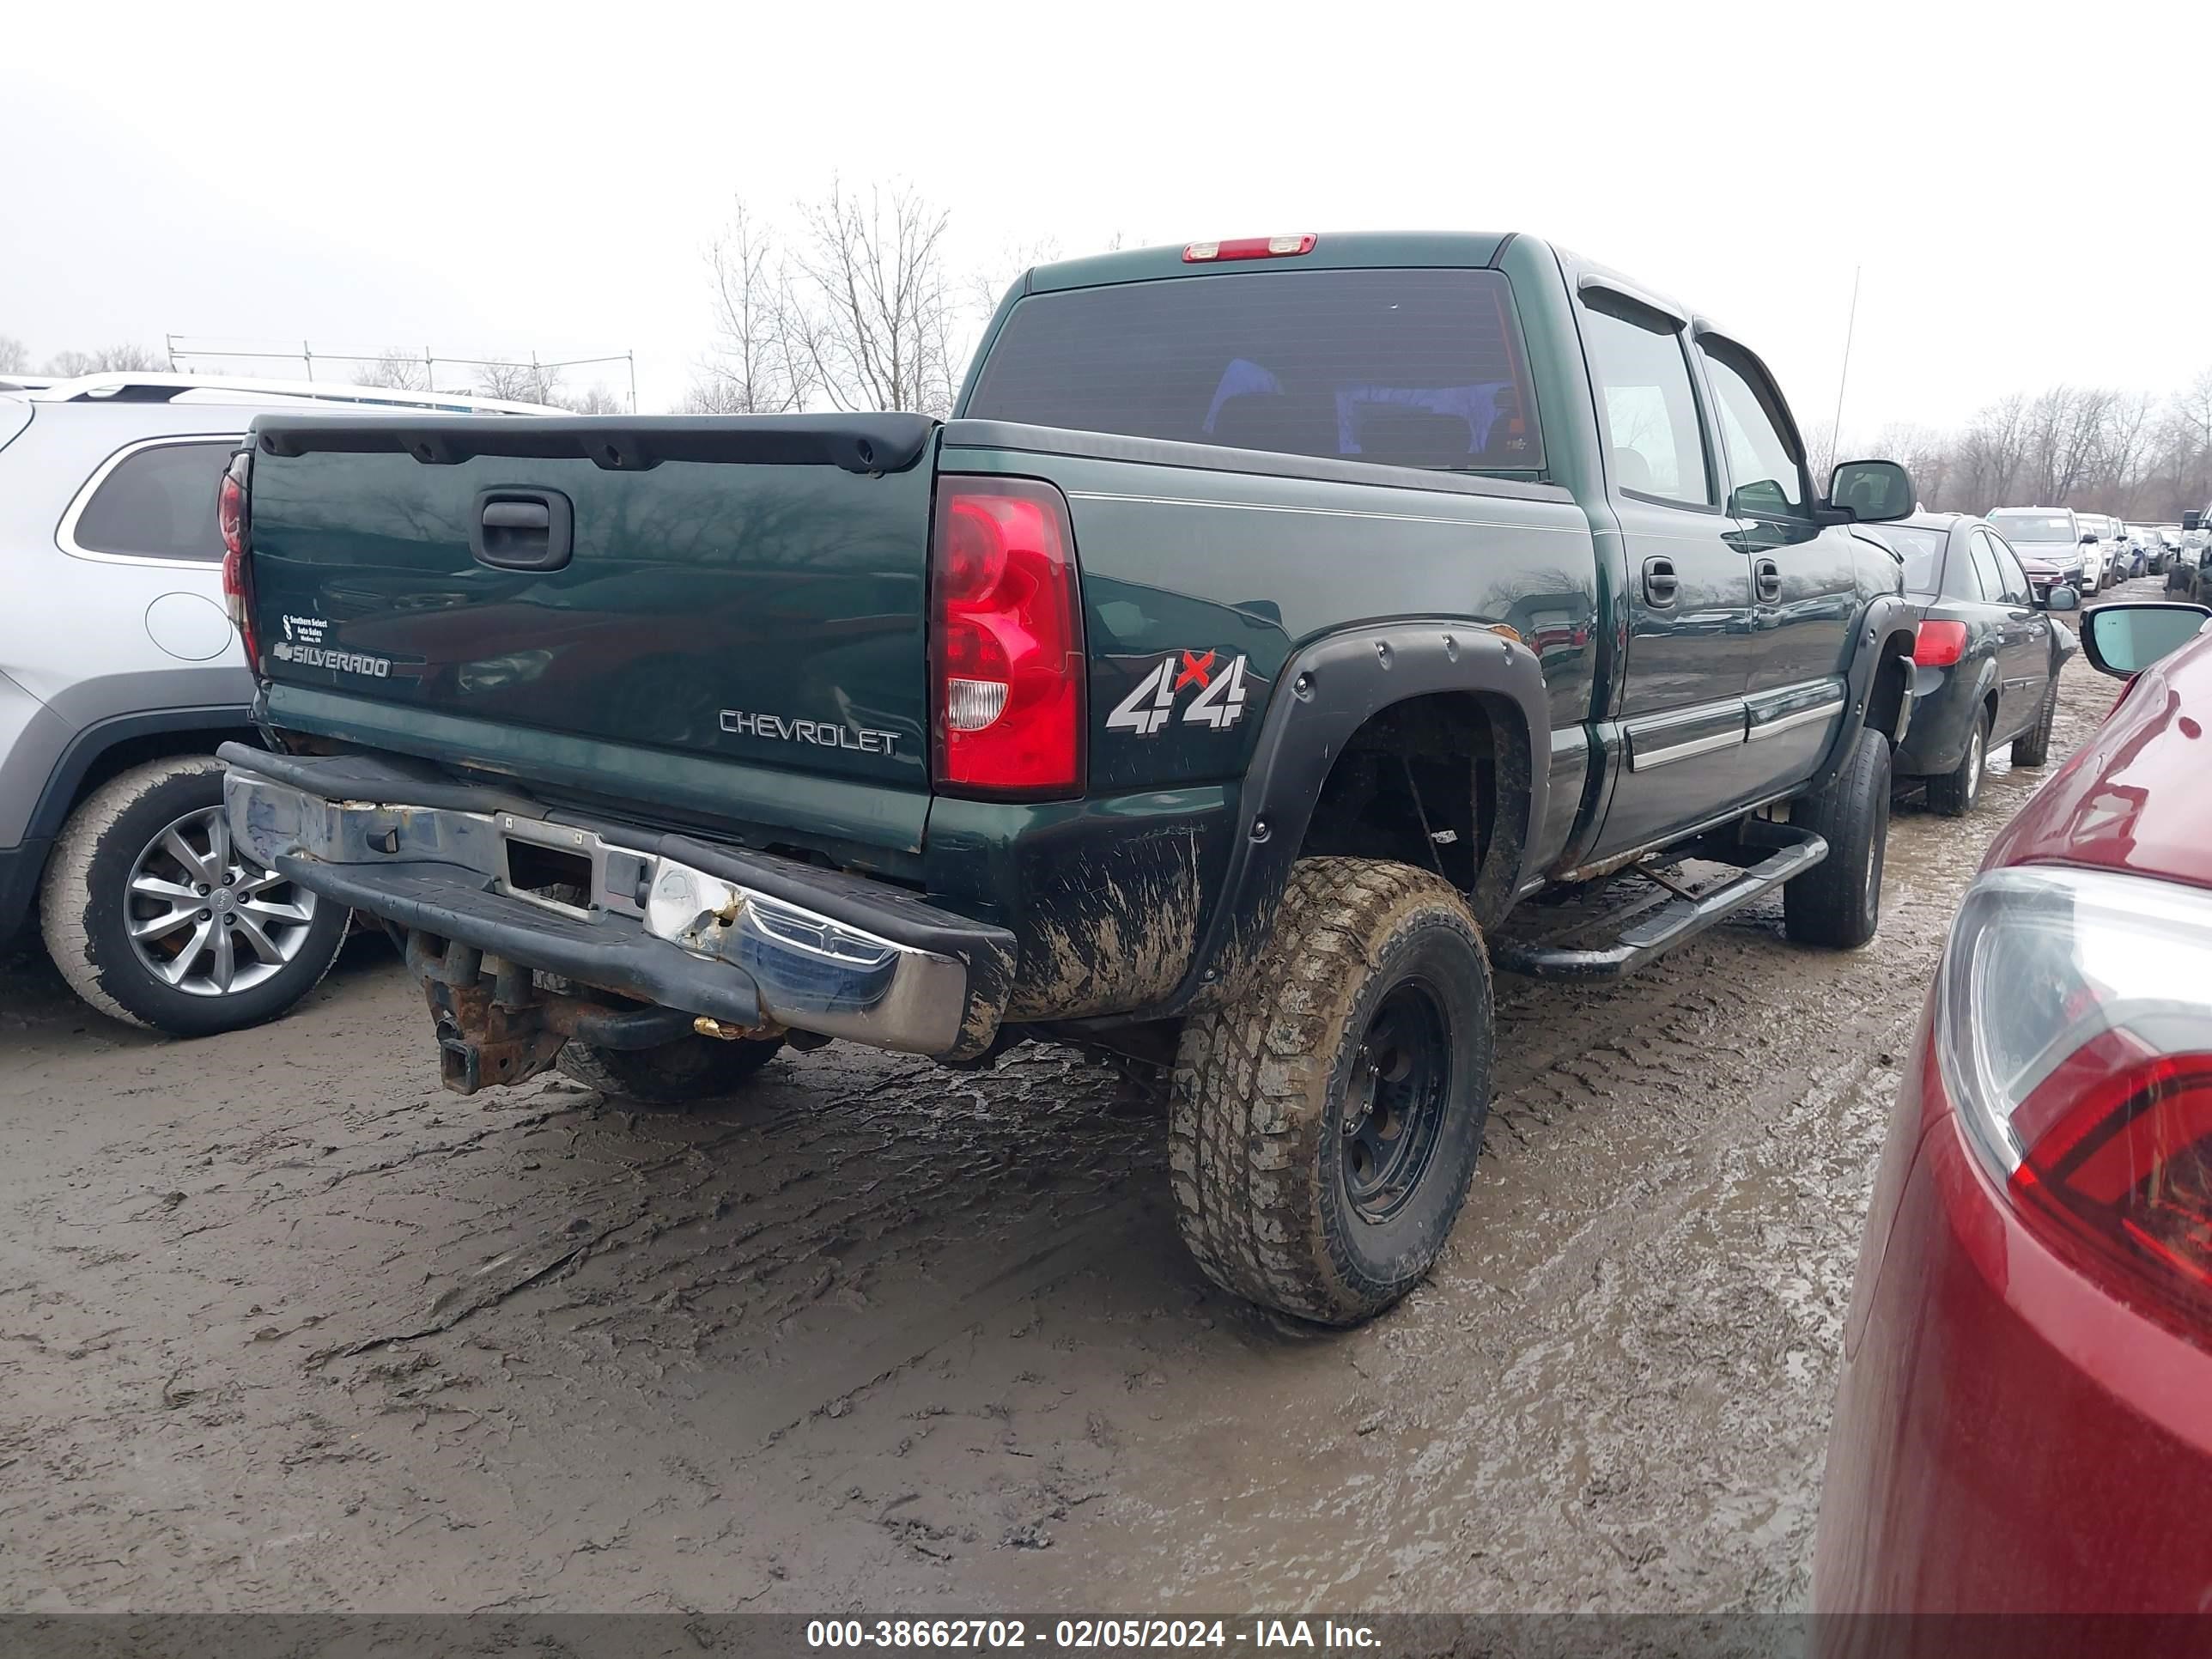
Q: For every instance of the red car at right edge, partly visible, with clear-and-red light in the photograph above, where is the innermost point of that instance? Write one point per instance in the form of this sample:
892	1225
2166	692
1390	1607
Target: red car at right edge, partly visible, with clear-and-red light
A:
2025	1419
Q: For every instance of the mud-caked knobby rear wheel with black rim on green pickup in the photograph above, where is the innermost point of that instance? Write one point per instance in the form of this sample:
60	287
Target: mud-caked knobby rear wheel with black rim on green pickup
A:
1269	1096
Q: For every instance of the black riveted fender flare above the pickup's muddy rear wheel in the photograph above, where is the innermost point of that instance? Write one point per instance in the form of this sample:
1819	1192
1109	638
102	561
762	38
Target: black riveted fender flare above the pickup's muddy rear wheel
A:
1324	696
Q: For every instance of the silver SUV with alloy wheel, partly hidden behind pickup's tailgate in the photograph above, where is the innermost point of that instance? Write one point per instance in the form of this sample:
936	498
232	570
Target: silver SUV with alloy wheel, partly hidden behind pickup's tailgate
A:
118	678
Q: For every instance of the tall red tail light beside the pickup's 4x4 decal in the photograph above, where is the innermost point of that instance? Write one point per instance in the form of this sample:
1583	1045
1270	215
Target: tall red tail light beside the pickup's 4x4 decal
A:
1008	645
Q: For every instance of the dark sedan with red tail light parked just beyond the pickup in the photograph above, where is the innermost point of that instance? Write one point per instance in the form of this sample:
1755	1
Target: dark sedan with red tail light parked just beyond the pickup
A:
1987	660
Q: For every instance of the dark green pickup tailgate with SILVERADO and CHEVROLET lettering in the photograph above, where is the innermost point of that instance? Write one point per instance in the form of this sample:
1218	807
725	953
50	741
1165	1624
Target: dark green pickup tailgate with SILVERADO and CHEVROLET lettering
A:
729	587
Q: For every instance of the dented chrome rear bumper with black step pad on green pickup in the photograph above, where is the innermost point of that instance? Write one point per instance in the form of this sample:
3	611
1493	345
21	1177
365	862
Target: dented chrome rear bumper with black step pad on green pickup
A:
718	932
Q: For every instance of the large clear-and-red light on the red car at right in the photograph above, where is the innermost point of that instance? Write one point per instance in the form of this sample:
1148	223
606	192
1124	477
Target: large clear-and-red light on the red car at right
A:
2076	1039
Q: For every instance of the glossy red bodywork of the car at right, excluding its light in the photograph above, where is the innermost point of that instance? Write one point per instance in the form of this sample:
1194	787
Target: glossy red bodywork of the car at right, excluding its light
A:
2012	1437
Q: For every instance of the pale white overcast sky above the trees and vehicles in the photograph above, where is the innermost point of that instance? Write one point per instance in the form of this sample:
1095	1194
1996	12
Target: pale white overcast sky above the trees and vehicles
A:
2027	198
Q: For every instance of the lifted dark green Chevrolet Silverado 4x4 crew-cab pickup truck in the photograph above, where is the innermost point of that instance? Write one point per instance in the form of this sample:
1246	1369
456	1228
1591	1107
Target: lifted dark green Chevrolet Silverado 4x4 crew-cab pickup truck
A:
1266	623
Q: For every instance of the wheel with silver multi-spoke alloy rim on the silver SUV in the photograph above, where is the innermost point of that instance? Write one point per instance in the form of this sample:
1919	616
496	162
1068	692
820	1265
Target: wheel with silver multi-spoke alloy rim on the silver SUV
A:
118	915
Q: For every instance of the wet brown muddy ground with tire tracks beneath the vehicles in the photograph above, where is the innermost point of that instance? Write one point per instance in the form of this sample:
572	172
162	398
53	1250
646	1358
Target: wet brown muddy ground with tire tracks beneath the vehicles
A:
282	1326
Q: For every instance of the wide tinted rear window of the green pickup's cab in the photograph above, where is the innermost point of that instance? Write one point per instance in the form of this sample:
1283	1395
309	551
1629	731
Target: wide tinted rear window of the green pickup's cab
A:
1408	368
